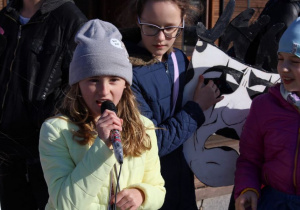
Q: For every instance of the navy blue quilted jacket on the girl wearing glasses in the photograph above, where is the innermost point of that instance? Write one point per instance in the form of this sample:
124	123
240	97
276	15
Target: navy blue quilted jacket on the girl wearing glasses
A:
153	87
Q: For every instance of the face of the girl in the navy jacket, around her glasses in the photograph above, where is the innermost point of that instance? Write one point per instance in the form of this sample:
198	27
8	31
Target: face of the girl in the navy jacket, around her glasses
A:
162	14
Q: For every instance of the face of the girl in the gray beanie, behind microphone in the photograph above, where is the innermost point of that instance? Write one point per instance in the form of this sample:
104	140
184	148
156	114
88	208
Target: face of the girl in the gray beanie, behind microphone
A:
96	90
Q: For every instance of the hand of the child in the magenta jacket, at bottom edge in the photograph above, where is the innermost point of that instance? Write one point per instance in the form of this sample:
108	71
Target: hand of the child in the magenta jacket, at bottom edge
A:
245	200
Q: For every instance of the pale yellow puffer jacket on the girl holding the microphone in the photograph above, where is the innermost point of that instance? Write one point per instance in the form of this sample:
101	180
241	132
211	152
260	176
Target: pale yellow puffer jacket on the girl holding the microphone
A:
78	176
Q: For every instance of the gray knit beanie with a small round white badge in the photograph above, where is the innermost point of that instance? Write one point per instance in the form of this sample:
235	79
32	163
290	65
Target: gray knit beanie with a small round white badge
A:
99	52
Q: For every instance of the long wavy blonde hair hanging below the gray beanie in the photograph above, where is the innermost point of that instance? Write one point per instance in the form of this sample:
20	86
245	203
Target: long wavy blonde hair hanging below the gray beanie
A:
134	137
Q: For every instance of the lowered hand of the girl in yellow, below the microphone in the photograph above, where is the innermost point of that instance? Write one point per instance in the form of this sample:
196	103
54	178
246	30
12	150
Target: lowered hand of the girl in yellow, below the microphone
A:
129	199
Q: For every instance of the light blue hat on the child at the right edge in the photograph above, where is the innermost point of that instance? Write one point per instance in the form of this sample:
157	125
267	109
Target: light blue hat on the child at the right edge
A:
290	39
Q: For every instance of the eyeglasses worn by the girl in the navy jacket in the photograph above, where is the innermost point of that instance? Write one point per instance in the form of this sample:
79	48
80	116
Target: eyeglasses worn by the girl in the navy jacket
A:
152	30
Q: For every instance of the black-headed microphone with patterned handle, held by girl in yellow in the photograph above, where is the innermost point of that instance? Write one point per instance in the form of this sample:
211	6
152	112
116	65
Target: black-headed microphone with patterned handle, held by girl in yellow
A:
115	136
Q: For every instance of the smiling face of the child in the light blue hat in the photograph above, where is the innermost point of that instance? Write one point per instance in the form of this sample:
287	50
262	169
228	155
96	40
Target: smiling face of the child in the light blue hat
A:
289	69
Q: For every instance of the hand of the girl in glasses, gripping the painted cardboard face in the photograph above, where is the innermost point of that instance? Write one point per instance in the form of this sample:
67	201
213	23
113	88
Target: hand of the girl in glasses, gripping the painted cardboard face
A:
206	95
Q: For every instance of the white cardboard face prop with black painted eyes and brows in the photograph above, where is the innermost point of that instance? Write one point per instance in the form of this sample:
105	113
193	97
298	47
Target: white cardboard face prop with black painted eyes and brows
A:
239	84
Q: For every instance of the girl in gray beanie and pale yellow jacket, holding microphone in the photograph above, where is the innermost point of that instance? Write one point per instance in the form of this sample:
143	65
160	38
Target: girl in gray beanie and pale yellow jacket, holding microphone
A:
79	165
